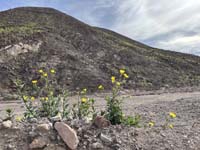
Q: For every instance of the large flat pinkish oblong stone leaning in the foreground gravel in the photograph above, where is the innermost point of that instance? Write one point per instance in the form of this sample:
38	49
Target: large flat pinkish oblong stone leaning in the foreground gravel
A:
68	134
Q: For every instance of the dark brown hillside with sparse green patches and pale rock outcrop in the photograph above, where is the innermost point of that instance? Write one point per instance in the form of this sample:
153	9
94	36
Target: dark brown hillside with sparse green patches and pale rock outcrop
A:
85	56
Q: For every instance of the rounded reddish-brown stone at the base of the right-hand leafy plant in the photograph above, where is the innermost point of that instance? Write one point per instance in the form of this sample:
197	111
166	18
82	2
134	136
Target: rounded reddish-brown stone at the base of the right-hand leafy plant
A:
101	122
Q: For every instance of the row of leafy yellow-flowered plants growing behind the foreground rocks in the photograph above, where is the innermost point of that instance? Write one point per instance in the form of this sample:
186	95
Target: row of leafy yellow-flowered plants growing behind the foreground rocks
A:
51	105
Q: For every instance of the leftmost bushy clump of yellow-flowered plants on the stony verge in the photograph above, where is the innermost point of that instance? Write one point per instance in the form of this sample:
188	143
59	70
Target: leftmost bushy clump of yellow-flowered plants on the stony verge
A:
43	90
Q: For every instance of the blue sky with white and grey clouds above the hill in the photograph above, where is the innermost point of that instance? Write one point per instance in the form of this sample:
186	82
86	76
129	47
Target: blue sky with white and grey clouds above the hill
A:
173	25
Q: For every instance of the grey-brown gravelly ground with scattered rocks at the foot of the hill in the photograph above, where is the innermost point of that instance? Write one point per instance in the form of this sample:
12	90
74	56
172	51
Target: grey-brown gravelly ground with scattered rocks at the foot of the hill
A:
42	134
